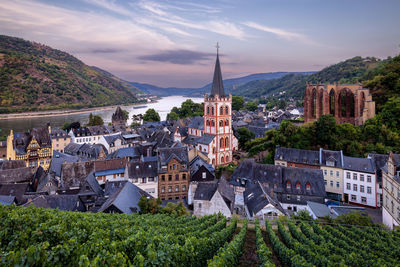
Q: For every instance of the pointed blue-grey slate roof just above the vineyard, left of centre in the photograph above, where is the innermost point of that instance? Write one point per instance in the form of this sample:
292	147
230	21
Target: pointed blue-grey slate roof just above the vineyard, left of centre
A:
125	199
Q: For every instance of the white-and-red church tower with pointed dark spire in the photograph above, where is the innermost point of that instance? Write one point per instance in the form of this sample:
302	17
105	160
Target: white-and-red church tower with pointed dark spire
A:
218	120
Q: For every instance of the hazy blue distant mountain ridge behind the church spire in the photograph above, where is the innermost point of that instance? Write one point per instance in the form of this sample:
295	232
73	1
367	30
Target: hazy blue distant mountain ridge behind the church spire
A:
229	85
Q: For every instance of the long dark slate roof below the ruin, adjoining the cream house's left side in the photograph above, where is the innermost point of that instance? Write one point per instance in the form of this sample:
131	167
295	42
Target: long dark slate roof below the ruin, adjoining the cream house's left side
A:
302	156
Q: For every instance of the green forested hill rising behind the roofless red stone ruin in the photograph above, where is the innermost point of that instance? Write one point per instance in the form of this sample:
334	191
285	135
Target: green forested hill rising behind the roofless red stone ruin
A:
353	70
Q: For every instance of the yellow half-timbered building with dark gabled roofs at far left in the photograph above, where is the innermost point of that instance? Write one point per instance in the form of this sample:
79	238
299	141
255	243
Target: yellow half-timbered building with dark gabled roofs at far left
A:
33	147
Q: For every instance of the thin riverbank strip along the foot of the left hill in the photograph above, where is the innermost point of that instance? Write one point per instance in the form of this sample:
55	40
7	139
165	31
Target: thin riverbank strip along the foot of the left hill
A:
52	113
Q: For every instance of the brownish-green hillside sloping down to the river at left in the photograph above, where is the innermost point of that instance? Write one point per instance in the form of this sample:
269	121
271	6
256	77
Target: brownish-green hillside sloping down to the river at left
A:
37	77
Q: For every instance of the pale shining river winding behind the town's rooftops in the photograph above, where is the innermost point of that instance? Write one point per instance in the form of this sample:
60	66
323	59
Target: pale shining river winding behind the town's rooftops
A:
163	106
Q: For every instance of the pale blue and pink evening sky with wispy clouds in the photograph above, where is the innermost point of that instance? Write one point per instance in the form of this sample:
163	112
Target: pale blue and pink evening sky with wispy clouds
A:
173	42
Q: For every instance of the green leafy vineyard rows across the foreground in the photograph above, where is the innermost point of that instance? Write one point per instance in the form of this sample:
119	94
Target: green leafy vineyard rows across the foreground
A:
45	237
